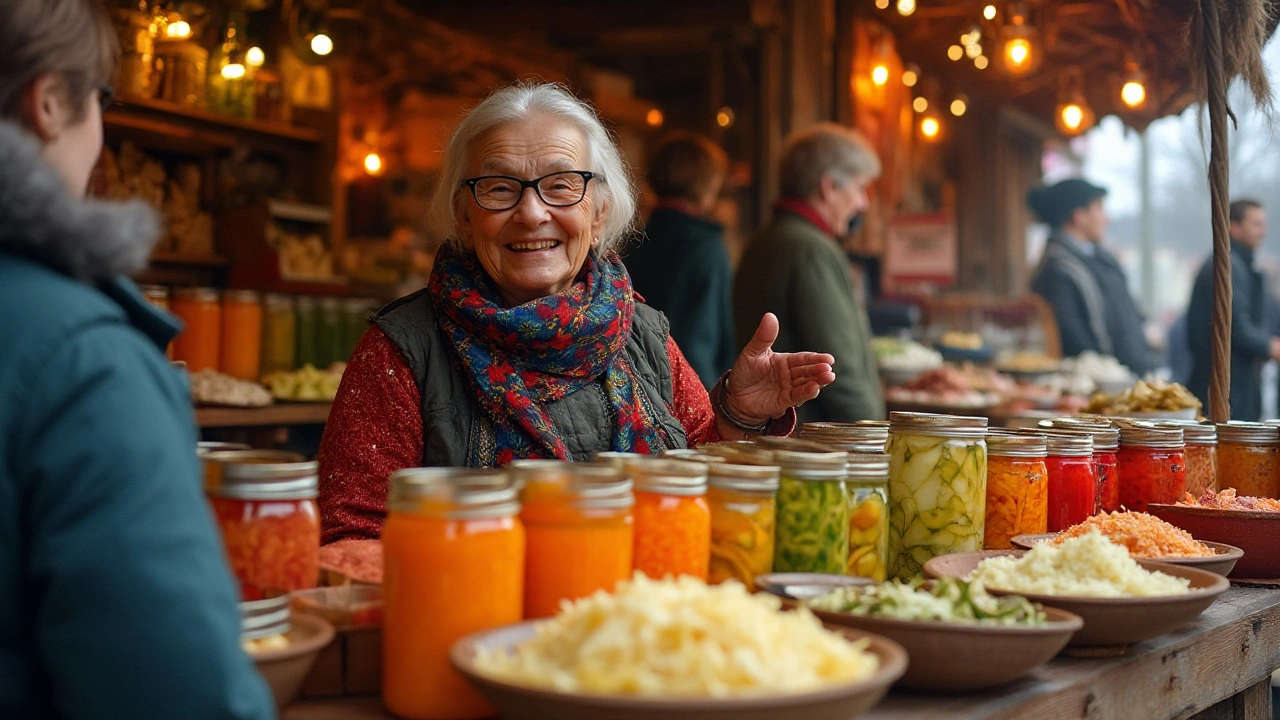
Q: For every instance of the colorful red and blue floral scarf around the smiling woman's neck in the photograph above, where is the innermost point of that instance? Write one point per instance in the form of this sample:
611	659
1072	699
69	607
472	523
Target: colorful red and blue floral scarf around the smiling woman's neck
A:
522	359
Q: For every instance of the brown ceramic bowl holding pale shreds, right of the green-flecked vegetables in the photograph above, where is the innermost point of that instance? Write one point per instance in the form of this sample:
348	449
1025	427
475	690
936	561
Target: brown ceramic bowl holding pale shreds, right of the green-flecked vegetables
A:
1109	621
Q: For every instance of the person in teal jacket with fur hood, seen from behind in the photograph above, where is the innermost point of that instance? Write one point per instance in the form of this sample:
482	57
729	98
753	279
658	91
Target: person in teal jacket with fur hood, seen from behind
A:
116	599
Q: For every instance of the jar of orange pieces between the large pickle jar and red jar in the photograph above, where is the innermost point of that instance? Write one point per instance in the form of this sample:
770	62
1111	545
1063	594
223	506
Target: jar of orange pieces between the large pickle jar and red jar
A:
1017	489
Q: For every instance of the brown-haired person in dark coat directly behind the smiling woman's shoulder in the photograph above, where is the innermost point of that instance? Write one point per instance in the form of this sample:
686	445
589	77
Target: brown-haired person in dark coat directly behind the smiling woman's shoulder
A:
682	266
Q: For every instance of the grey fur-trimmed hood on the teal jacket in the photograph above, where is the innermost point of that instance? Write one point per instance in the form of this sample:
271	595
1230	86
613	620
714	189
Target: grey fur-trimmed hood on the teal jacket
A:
89	240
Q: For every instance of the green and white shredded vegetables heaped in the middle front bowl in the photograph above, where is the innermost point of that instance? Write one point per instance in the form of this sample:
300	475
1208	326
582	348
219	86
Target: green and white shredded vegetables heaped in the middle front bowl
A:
948	600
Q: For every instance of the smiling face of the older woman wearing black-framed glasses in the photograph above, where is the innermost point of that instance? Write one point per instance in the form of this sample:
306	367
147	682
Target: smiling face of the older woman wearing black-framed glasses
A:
532	250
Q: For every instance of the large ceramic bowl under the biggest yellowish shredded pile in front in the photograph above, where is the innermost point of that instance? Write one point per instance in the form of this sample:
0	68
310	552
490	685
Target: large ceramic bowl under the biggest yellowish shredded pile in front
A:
520	703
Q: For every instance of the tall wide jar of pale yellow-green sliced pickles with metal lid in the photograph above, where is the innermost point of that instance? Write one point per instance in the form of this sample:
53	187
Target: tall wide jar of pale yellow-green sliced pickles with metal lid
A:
938	489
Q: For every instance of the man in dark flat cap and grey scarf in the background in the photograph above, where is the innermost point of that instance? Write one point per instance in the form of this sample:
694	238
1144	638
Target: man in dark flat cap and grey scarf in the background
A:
1085	284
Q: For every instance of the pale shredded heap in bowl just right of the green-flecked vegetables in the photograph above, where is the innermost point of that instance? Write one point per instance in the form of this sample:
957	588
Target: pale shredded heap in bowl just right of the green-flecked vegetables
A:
1084	567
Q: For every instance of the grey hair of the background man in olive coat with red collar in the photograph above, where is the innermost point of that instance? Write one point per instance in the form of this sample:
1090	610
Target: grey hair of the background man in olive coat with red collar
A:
826	149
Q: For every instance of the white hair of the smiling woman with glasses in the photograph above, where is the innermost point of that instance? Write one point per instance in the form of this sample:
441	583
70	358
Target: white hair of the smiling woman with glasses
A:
525	101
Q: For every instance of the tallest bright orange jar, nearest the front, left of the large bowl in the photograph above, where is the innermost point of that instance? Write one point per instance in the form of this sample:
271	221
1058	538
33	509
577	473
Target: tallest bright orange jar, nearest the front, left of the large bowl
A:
454	557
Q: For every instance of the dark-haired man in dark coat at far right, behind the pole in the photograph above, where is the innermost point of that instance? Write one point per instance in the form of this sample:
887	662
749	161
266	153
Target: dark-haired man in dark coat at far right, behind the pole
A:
1252	343
